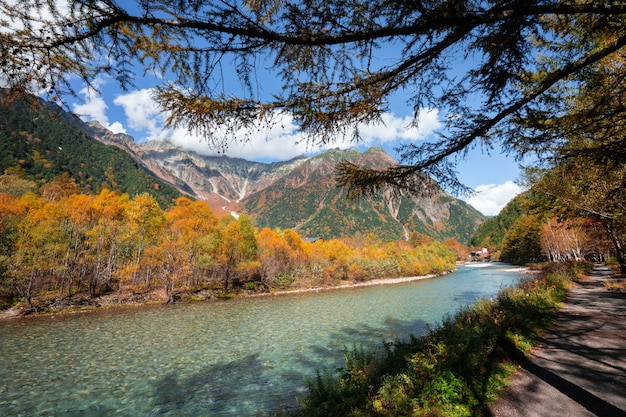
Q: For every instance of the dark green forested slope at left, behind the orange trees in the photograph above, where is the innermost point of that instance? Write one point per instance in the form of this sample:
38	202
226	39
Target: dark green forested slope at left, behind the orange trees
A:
38	139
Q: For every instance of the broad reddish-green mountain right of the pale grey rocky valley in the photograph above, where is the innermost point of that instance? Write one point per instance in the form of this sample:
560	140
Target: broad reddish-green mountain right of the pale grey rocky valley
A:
307	200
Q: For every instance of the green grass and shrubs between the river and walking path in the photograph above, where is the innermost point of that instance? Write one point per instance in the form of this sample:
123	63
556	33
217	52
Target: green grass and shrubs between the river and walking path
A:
457	369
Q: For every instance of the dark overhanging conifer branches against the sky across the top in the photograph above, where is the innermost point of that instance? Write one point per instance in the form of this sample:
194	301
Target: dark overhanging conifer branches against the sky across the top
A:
500	70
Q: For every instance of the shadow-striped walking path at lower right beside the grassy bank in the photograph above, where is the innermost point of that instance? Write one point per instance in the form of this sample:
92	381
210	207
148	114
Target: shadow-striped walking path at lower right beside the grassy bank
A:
579	368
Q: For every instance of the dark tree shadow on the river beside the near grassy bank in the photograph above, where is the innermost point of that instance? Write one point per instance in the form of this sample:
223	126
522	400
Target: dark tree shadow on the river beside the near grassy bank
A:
209	392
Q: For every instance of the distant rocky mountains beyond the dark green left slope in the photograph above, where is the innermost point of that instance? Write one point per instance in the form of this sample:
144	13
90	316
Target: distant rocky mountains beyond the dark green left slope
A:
300	194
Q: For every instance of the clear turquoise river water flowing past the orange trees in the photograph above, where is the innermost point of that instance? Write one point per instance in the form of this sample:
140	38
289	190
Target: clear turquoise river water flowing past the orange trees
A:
242	357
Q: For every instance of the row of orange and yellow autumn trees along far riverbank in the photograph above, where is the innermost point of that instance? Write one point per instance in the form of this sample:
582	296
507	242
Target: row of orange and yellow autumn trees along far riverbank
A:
56	244
